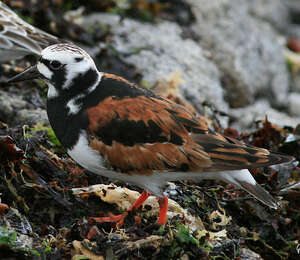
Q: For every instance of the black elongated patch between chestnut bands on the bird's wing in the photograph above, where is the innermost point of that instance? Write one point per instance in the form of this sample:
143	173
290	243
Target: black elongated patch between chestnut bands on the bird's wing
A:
130	132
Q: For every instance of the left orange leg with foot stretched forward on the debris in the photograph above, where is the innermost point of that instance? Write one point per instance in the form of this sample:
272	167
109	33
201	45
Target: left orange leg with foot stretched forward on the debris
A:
119	219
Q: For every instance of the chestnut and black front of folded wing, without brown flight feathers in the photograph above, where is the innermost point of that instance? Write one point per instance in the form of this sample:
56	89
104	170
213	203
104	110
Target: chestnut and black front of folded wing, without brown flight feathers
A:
143	134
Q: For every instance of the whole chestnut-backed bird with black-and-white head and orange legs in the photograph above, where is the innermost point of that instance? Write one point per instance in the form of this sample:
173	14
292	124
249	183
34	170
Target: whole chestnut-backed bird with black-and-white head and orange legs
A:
123	131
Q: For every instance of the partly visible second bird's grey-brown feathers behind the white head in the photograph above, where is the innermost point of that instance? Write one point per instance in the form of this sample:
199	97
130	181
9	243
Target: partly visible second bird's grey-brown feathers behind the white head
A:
18	38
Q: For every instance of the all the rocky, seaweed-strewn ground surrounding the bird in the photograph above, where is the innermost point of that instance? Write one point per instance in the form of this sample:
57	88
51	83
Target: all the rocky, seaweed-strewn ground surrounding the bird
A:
234	61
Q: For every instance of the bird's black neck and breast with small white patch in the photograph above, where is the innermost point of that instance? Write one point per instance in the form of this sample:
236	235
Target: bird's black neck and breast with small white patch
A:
65	107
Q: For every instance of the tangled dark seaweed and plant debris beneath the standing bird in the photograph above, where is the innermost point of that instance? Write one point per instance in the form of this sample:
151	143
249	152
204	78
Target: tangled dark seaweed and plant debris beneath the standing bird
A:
46	200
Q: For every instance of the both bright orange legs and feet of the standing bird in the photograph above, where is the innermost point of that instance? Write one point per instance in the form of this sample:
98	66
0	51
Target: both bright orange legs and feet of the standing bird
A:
119	219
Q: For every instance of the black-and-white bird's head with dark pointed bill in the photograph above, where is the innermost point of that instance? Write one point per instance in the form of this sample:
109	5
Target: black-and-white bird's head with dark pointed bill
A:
61	66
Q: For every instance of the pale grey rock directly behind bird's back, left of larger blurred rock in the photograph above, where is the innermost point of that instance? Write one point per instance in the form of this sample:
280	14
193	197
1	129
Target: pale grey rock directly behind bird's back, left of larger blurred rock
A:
158	51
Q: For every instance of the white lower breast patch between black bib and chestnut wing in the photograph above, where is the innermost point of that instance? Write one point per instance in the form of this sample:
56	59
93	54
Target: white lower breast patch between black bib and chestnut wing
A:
83	154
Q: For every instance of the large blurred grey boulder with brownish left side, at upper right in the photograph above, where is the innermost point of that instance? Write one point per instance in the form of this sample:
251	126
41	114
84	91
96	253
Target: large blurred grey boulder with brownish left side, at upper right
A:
246	50
